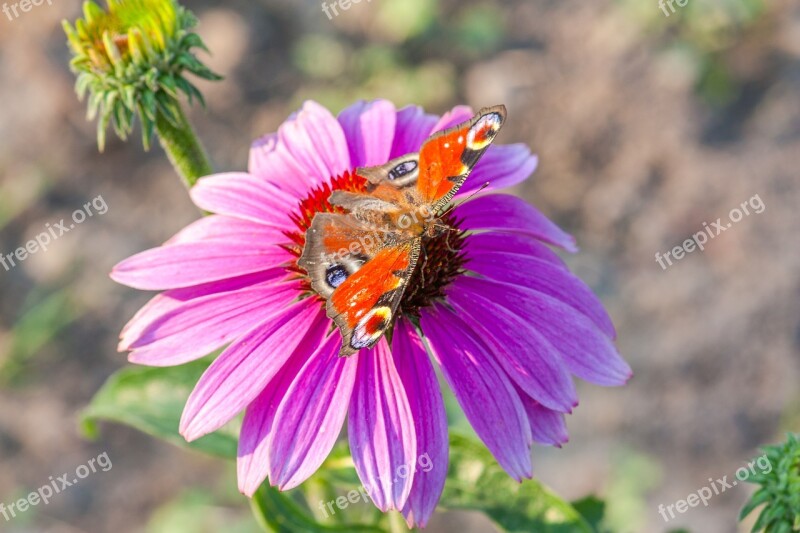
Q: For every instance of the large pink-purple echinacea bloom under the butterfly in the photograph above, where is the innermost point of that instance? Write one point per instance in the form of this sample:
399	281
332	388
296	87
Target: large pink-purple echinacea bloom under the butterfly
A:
500	313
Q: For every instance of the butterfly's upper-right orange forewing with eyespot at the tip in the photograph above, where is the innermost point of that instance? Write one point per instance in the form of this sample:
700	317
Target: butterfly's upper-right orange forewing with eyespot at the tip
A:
447	157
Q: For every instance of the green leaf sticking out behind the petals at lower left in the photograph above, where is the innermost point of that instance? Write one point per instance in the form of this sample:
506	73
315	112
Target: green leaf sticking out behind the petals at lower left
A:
151	400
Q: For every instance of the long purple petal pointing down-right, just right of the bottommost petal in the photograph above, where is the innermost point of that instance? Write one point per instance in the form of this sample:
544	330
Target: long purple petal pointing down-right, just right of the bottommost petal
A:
482	388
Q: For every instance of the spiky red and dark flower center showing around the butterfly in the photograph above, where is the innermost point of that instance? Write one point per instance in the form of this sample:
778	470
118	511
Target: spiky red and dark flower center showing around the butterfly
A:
441	259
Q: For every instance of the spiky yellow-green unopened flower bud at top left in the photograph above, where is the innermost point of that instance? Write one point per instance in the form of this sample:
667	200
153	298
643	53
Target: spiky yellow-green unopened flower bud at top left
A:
132	59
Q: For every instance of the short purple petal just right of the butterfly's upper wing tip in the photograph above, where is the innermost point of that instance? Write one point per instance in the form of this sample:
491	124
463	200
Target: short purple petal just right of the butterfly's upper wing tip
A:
501	166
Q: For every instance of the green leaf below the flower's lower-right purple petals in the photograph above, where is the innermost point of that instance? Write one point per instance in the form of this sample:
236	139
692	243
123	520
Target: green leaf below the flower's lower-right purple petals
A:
475	481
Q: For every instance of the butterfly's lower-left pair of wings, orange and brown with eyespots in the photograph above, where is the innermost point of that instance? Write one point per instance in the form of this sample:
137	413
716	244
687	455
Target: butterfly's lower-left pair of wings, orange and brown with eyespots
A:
361	273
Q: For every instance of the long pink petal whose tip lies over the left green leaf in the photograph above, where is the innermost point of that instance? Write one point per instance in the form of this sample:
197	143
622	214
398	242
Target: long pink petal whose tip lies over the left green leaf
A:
242	371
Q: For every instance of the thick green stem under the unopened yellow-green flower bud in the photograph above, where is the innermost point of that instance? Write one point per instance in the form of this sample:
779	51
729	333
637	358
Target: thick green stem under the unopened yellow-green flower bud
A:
183	148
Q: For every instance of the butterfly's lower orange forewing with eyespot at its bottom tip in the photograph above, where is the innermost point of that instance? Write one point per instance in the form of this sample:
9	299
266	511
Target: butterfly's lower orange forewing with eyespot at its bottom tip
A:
364	305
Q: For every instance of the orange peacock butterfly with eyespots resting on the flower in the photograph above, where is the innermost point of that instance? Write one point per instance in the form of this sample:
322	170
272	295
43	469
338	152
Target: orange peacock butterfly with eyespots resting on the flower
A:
360	261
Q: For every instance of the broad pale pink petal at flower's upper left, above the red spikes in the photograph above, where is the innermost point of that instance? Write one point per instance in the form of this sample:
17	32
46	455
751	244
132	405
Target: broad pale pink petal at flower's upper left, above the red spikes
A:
316	142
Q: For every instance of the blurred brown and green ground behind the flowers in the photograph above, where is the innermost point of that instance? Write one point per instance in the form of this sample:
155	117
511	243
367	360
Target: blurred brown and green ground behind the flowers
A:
646	126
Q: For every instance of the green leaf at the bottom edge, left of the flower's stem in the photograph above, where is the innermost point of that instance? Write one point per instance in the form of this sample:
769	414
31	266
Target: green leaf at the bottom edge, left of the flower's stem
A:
277	511
